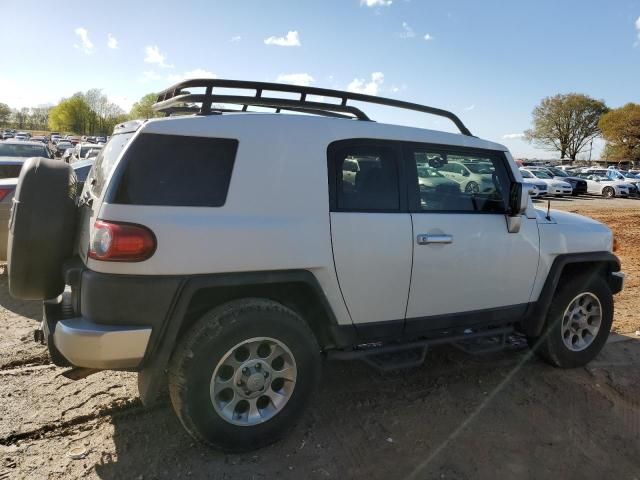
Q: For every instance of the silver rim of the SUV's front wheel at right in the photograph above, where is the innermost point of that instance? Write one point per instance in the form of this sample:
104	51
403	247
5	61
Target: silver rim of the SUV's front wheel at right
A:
581	322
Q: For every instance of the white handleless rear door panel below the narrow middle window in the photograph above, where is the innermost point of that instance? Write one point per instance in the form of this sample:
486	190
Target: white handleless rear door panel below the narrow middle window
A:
372	253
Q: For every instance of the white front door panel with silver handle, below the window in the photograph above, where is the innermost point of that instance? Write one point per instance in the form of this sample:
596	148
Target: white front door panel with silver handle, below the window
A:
484	267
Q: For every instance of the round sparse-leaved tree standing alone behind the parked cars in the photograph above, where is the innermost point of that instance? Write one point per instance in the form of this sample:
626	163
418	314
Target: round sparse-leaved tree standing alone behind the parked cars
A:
566	123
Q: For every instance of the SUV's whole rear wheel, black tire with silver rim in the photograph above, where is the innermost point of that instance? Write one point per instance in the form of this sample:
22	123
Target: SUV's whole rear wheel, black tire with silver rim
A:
243	374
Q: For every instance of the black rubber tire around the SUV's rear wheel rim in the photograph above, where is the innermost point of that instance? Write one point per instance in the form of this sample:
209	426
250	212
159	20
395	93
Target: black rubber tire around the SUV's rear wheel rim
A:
194	361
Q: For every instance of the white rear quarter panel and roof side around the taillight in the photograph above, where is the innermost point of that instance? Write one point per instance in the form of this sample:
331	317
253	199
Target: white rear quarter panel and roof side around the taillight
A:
271	220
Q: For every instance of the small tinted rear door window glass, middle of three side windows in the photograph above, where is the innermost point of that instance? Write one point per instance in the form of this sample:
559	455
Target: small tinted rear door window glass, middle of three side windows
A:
367	179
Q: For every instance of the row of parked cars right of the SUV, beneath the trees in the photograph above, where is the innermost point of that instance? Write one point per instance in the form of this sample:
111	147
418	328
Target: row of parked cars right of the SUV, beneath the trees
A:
609	182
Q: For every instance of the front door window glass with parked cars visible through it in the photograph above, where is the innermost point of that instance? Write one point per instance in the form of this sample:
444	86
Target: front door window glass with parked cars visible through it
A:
454	182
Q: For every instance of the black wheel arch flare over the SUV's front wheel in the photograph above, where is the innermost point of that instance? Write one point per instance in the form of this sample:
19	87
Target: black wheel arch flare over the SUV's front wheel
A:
567	266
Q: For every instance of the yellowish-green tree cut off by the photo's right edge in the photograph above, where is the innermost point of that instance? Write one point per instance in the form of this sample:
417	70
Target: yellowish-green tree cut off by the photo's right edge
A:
621	129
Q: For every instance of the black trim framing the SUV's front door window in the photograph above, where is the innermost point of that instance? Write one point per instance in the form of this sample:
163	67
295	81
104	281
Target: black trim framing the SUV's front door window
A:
411	169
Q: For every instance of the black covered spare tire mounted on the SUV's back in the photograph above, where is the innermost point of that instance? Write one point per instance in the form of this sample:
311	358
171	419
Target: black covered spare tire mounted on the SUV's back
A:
42	229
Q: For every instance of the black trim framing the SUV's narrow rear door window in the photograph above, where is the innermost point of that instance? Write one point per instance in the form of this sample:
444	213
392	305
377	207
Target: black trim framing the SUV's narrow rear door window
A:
333	157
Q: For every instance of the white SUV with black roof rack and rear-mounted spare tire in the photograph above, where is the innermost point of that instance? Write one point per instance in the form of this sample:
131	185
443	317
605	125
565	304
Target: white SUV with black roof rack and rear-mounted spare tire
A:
225	253
